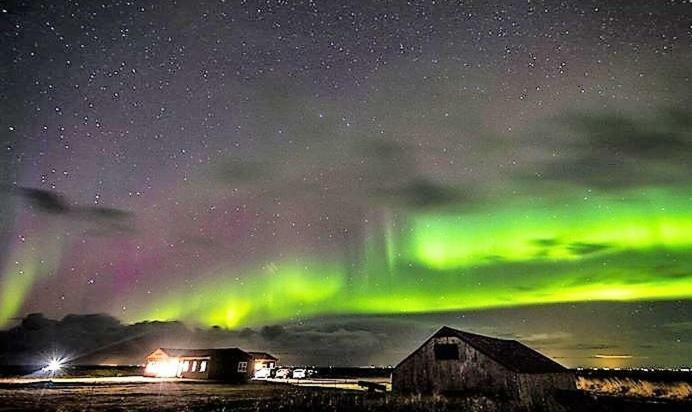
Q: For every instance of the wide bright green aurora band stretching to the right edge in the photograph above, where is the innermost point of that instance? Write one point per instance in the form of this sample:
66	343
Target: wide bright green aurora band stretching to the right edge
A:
636	245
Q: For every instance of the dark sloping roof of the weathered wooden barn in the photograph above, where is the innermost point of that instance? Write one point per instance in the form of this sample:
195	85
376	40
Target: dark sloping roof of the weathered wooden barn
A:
511	354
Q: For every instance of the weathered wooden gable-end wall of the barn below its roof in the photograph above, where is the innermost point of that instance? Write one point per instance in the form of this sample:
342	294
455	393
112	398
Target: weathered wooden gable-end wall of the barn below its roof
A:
473	371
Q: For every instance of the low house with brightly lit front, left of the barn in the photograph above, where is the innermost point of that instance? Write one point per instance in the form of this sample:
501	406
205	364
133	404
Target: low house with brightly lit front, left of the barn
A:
227	364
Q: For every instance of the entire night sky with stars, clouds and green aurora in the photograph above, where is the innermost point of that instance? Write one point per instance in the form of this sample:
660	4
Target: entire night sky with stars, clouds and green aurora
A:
290	163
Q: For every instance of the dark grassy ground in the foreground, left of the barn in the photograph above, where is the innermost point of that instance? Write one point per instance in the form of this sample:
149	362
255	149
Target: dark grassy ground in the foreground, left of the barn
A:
141	394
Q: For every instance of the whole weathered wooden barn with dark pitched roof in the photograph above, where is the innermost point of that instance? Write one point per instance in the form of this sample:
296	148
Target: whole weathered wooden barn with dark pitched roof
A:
453	361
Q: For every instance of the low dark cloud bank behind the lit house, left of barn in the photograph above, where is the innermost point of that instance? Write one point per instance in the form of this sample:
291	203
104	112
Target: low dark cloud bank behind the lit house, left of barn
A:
88	339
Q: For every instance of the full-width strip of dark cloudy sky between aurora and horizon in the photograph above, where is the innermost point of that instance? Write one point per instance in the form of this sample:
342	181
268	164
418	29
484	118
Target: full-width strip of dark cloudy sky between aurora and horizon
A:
365	340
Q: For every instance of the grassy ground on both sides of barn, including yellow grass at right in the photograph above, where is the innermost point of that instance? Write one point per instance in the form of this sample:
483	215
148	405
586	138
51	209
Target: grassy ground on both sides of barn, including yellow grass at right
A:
108	392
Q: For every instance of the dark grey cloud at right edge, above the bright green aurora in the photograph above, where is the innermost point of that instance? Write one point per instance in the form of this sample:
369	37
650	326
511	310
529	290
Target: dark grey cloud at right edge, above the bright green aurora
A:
620	150
